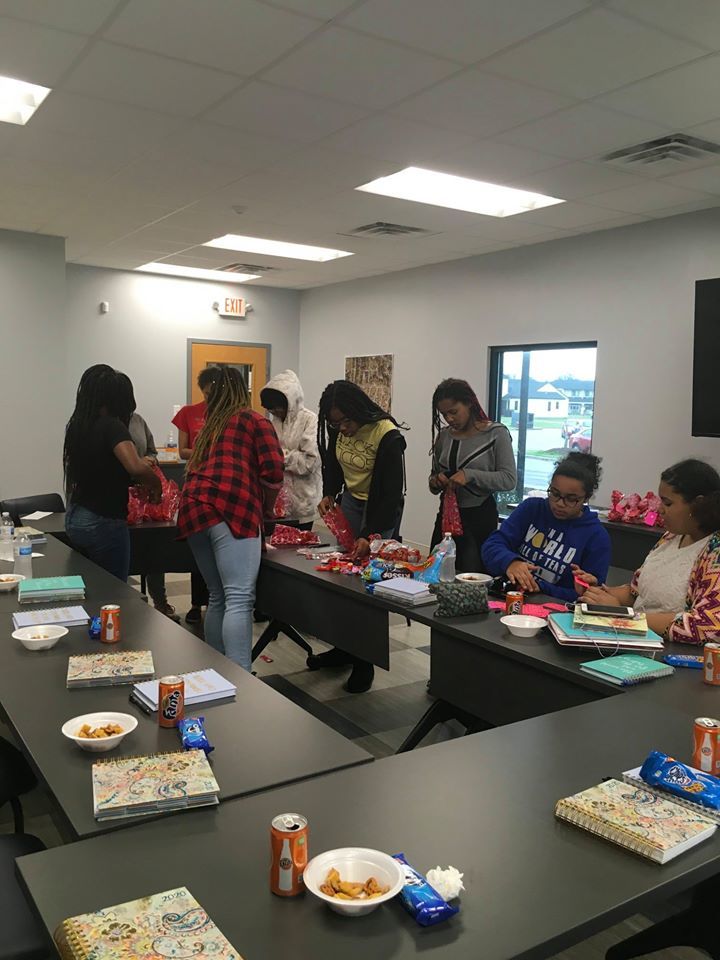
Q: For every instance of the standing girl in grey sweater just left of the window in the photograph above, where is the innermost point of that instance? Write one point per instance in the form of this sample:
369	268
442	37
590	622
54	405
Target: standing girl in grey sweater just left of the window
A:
473	457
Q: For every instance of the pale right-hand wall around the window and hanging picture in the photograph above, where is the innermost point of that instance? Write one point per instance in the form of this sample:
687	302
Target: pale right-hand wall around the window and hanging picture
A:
631	289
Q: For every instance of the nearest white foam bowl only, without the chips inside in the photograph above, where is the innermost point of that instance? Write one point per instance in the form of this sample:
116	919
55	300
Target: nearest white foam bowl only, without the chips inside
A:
356	864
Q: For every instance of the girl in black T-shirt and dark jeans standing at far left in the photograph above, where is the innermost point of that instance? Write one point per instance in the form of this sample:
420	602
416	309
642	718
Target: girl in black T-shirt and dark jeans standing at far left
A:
100	463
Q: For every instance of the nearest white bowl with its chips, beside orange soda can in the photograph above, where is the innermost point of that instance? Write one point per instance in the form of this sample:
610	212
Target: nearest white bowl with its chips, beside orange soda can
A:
354	881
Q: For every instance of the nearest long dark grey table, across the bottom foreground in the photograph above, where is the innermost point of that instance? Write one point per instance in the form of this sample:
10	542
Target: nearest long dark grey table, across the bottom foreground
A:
483	803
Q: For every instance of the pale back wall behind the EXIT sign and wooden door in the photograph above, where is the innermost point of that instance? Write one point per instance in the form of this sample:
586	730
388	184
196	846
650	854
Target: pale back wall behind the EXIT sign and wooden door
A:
151	319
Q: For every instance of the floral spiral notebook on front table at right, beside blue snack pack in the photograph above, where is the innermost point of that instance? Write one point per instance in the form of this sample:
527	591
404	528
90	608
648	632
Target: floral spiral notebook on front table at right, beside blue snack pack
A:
640	821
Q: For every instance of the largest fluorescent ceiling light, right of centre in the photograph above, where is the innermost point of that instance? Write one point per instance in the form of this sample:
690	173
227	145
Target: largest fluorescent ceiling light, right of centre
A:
458	193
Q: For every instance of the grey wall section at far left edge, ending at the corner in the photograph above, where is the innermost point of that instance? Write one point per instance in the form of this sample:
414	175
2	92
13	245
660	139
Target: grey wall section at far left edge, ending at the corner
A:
32	313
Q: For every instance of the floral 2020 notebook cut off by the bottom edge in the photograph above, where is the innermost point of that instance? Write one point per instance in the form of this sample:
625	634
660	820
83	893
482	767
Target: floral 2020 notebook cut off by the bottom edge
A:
170	924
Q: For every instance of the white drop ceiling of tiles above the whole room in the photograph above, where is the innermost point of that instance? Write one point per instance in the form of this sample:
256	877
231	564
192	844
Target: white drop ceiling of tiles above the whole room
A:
172	122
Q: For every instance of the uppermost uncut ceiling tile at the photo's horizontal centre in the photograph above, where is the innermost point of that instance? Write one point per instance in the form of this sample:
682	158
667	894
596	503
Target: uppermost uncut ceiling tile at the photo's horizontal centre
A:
358	69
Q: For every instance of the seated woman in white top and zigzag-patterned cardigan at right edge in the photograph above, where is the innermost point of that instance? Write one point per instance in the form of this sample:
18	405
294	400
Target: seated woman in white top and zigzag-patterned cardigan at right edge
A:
678	585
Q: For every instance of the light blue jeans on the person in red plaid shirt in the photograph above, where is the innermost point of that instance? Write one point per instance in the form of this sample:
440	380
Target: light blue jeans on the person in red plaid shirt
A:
229	566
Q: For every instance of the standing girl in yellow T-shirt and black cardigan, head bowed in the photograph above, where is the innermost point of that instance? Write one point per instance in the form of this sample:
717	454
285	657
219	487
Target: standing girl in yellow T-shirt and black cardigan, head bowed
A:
362	452
